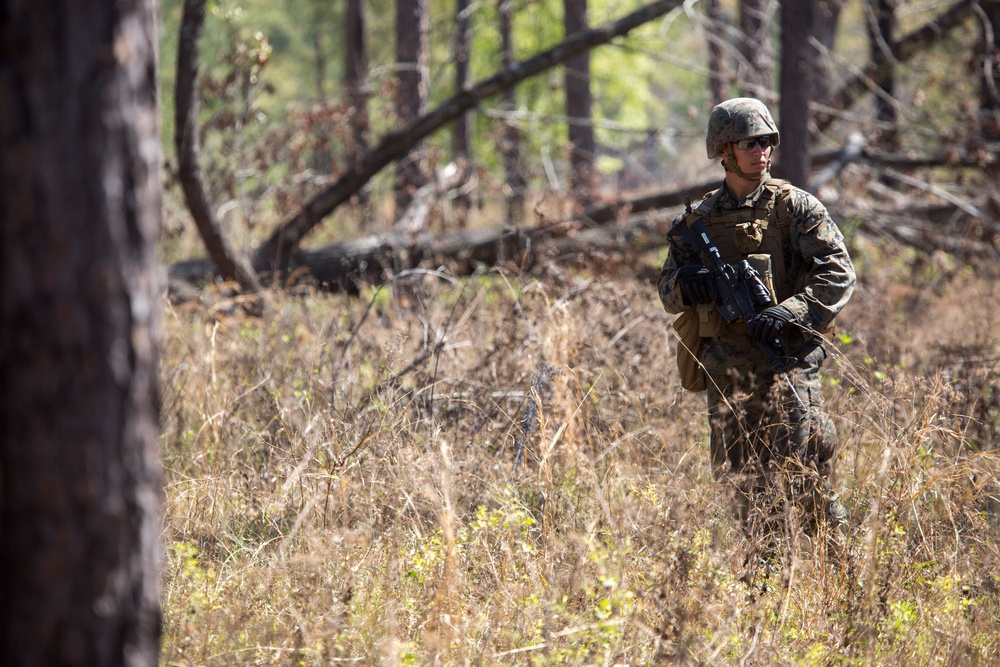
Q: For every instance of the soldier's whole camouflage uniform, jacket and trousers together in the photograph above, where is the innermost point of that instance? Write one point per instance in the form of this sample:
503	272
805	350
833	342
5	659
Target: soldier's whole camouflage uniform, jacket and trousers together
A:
757	425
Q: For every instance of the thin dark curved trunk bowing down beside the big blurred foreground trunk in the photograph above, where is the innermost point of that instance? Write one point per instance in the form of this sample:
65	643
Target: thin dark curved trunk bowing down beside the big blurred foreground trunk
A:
232	266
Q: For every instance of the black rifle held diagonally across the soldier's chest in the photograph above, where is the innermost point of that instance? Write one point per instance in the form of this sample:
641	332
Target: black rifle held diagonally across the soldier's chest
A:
739	293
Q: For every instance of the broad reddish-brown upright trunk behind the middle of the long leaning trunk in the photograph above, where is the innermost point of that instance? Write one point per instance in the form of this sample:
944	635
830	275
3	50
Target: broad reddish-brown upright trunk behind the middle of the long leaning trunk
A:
412	32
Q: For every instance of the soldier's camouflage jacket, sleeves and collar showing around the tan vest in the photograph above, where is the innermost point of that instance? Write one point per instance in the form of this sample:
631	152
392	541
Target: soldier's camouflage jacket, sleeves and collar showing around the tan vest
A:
826	277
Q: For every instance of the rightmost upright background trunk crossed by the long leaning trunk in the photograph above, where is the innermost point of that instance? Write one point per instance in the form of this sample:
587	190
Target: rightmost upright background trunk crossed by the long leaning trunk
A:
579	105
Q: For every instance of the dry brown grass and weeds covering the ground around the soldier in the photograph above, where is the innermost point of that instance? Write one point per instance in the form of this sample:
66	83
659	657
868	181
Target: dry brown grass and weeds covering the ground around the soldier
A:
341	484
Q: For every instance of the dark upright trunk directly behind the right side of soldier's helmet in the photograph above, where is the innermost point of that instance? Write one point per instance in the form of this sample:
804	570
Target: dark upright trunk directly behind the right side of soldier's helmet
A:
796	65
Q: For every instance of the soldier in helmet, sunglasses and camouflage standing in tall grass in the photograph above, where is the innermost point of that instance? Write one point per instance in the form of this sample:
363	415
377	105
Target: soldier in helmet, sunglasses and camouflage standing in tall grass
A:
770	437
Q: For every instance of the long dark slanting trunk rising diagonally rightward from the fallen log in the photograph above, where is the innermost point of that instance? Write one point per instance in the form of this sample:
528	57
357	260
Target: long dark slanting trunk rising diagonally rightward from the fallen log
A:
274	253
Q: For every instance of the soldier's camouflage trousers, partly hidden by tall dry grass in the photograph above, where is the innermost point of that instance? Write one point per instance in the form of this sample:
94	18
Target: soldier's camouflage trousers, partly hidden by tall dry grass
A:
776	453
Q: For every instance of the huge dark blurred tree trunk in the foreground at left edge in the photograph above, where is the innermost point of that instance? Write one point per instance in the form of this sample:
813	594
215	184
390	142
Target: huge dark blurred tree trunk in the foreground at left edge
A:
80	211
